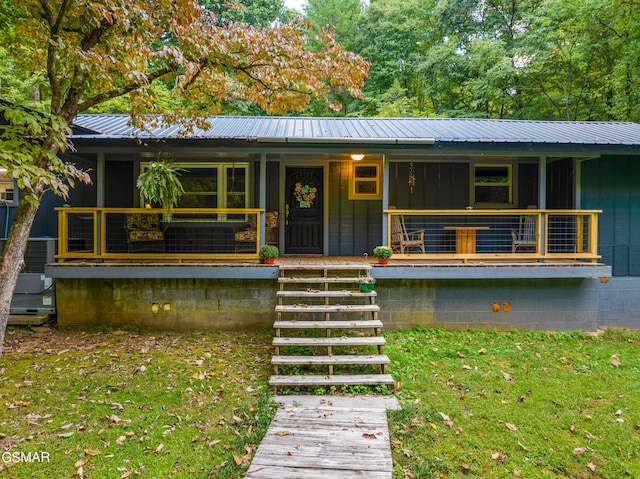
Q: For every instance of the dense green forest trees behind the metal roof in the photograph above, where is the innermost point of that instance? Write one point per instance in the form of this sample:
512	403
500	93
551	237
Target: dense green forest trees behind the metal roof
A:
513	59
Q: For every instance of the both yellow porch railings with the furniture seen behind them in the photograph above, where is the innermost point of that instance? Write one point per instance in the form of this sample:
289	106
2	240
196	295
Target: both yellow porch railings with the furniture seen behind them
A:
425	238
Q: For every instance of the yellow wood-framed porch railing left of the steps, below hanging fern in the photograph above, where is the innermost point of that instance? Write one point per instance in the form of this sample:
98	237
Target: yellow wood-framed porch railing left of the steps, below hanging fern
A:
135	233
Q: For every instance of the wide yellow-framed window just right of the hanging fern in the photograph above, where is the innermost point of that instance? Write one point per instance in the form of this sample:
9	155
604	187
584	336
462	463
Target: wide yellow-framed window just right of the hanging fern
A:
213	185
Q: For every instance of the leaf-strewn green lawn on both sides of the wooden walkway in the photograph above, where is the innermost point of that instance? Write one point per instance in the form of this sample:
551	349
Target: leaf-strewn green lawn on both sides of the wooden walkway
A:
196	405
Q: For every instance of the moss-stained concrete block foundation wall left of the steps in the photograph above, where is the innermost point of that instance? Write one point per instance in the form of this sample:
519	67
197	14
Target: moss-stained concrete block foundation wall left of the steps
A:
170	304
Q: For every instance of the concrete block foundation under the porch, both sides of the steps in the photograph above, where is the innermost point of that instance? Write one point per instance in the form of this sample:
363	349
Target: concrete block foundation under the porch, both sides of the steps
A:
248	304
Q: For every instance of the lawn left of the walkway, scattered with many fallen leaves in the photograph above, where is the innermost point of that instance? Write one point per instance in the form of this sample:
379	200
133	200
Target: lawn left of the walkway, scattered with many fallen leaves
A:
134	405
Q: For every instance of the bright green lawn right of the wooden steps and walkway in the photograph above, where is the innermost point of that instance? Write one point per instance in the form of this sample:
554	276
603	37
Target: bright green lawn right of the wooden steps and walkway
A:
486	404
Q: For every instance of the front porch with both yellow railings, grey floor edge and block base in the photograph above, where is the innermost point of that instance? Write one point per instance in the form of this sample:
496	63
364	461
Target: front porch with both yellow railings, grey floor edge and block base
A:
206	281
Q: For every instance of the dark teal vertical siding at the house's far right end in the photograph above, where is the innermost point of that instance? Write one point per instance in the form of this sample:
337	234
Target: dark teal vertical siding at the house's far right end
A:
612	185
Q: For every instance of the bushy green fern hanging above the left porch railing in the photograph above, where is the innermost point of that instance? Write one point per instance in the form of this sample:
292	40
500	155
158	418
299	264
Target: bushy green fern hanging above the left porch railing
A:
159	184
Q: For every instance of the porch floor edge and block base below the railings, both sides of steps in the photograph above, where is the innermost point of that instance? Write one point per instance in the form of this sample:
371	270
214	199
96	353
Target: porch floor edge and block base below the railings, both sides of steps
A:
241	295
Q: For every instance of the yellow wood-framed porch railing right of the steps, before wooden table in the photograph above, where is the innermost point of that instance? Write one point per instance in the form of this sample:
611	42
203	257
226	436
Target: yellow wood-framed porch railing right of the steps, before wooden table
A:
494	234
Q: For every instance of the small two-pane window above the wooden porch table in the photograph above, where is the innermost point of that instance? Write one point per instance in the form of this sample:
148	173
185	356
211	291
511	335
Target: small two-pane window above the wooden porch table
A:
492	185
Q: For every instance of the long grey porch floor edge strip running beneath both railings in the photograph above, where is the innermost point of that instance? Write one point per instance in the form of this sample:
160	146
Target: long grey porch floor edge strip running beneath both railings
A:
398	268
